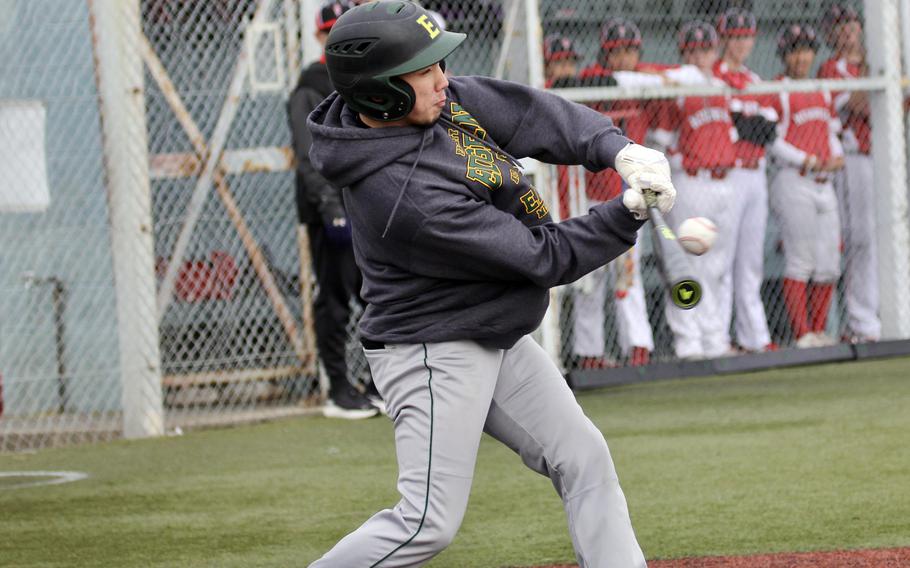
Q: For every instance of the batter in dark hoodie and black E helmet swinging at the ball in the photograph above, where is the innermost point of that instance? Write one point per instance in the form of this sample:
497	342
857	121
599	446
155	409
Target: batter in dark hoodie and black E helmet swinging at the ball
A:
458	251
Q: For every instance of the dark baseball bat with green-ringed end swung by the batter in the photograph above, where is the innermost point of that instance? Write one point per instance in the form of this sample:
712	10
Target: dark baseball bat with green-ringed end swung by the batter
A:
675	270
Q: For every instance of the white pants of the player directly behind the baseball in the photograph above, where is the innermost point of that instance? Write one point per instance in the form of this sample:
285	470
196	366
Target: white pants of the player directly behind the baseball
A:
699	332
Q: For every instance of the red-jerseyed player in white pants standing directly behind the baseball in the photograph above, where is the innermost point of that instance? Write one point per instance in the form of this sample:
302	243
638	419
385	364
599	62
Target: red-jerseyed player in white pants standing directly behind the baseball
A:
704	153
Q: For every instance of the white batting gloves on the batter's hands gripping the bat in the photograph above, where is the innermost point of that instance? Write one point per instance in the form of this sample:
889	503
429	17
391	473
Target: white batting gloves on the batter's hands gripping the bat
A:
643	168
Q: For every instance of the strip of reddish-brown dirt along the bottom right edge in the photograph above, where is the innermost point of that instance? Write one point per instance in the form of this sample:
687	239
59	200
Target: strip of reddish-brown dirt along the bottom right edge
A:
883	558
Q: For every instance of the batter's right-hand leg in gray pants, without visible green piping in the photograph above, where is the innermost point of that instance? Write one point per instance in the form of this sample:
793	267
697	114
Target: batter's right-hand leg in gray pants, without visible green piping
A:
534	413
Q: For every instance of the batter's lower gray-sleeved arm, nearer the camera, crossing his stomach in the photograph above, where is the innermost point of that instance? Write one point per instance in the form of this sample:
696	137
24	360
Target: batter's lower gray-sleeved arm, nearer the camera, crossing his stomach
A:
472	240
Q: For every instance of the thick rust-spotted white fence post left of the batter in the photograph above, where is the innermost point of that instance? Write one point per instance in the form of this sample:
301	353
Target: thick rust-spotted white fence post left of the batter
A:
116	30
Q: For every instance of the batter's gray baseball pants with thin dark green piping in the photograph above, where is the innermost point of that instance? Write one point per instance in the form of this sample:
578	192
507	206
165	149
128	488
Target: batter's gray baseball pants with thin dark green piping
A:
442	396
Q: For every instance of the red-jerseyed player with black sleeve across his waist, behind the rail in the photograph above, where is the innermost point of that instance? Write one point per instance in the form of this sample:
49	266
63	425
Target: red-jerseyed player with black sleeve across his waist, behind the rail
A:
755	120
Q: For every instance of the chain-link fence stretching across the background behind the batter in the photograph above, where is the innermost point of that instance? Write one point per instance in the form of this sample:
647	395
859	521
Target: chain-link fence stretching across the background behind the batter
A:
153	274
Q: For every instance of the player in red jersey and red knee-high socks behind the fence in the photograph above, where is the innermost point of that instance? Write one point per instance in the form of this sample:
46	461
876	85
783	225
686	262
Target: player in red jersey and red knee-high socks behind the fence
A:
802	195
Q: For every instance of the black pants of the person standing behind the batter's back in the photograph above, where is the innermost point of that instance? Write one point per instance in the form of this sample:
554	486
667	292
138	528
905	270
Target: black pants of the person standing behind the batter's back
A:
339	280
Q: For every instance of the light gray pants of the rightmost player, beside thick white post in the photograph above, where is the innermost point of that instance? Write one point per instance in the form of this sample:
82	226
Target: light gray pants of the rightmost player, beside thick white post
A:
861	270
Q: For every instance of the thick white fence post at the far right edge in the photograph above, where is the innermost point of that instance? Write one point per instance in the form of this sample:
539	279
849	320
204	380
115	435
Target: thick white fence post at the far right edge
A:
889	157
